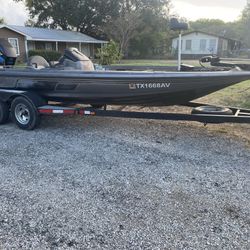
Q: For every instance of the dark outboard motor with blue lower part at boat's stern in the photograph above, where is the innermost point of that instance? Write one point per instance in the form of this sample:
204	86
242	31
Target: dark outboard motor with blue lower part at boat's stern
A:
7	53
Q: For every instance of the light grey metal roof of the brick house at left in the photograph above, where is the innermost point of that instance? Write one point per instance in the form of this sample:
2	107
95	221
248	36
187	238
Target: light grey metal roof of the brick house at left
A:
42	34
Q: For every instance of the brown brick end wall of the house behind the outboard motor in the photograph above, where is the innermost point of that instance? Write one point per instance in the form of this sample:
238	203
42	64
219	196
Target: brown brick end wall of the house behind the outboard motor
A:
6	33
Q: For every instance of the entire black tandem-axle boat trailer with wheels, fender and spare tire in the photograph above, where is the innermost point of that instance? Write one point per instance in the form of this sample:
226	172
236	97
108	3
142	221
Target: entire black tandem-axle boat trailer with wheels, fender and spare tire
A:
26	109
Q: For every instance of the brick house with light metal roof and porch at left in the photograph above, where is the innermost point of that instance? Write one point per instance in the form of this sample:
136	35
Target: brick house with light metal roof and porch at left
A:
24	39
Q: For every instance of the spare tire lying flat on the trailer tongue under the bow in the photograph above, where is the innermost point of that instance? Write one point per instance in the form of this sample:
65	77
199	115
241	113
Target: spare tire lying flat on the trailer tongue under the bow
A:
212	110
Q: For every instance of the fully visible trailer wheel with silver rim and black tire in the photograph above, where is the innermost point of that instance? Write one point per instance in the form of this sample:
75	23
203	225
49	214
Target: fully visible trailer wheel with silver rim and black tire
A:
24	113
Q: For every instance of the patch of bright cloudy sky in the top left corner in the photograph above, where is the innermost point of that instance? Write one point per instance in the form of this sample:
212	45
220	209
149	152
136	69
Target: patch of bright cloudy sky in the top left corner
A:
13	13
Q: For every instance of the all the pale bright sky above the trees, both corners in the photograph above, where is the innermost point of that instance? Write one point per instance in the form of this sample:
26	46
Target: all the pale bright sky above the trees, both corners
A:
227	10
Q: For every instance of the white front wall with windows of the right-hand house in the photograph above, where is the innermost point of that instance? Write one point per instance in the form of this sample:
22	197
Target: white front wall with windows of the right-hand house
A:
197	44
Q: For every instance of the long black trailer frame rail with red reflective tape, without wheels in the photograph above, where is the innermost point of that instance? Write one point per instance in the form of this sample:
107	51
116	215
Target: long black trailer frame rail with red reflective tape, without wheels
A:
238	115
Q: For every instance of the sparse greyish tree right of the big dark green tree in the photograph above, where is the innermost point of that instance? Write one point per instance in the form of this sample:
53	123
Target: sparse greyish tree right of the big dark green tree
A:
139	22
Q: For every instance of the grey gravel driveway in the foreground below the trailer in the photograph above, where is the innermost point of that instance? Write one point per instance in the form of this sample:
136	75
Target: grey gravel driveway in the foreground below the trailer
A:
99	183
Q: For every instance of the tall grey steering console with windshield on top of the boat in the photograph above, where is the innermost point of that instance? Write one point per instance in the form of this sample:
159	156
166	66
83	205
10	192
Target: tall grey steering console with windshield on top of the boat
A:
73	58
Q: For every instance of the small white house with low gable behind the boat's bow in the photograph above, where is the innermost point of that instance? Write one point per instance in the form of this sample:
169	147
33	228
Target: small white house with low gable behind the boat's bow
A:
196	44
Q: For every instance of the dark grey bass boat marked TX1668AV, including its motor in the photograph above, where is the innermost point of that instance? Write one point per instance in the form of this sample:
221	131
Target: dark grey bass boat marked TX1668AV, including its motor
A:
73	79
